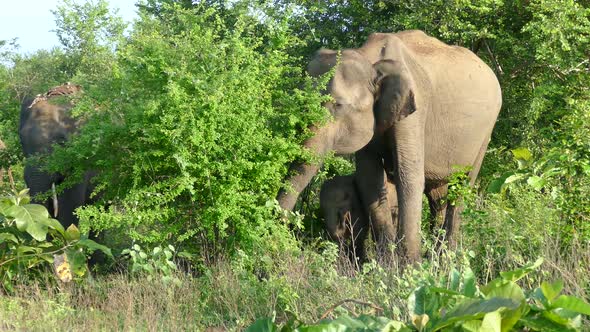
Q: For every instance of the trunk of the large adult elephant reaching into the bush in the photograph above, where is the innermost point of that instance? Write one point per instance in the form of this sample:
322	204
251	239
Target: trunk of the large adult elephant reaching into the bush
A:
302	173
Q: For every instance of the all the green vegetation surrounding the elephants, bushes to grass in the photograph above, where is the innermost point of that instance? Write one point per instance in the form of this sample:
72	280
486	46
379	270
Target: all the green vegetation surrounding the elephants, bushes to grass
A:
192	118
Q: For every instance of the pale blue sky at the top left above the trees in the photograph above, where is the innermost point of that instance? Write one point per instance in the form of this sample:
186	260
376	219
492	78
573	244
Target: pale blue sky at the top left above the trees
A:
31	21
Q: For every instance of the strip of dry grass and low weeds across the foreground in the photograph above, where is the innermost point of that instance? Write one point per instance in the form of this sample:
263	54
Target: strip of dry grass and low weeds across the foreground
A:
309	284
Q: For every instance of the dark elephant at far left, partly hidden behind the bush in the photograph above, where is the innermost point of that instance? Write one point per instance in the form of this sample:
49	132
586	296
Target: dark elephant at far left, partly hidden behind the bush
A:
43	122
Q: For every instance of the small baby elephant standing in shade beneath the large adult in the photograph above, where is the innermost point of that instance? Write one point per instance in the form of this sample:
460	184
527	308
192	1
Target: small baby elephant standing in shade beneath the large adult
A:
347	223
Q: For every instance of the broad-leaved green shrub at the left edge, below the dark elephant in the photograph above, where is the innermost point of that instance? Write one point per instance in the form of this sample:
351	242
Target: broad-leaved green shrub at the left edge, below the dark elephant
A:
25	249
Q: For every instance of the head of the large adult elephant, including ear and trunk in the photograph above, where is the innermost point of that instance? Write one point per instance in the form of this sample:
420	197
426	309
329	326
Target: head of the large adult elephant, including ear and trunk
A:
367	96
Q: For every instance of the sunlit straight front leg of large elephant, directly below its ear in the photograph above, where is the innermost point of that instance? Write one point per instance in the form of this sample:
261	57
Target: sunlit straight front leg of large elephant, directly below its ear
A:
408	149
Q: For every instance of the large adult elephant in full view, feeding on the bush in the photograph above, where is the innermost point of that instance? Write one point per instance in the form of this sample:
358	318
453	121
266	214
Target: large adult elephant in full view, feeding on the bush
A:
410	104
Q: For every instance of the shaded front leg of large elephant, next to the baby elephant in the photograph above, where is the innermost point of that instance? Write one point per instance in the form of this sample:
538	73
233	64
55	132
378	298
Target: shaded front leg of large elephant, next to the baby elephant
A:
371	181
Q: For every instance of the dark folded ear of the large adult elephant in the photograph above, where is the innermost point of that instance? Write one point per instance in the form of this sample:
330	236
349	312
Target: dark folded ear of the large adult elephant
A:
395	93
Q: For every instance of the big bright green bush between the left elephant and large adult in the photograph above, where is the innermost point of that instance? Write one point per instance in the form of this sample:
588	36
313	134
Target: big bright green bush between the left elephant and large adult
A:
193	130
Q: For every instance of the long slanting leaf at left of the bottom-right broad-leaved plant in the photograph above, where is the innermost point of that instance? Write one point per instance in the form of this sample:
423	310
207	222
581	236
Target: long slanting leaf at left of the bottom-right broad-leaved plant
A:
471	309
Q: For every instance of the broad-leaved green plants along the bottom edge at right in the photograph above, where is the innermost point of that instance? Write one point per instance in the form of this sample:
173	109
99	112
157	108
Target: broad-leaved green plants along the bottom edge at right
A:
458	303
